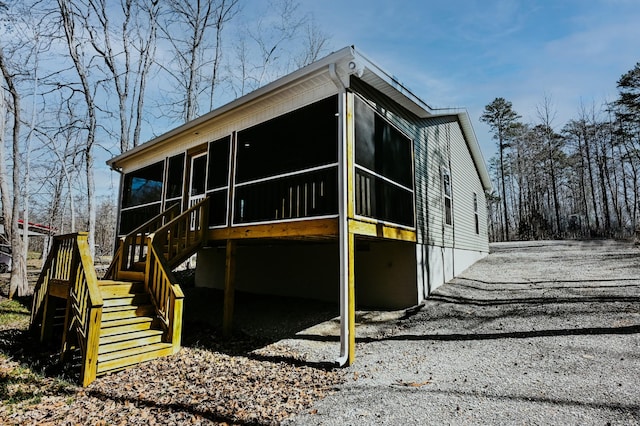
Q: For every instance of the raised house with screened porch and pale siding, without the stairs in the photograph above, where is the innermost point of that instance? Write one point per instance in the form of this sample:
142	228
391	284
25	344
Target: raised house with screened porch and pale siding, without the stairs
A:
334	182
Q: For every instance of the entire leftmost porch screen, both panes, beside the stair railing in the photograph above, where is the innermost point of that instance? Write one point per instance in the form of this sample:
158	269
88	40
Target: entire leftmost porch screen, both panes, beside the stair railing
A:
141	196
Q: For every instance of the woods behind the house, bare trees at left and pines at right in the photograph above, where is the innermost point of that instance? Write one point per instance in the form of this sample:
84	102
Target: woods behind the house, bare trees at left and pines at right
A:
84	80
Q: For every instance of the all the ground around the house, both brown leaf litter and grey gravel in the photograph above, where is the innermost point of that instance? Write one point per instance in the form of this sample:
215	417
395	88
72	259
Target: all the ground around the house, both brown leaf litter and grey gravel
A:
536	333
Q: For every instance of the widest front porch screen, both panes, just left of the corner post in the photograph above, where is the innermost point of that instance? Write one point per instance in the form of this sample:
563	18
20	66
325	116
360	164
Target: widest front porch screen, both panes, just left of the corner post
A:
286	168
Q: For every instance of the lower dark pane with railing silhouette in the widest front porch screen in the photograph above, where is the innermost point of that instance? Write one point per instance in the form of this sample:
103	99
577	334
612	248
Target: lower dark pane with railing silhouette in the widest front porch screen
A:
303	195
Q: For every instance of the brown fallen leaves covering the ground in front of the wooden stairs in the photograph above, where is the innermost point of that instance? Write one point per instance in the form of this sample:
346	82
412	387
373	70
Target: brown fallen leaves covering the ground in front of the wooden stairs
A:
195	386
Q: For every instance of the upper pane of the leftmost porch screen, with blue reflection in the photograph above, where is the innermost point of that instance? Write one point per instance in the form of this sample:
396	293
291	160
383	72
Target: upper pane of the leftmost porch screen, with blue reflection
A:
143	186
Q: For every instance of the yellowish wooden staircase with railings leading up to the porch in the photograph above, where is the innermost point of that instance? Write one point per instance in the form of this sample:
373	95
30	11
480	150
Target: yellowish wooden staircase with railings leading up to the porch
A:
133	314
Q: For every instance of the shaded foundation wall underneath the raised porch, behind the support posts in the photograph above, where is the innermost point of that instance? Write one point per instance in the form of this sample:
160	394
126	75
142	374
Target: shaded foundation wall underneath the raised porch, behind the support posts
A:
385	272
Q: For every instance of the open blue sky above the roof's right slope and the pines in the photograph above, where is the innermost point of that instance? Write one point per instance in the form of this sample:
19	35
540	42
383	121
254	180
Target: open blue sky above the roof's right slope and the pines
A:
465	53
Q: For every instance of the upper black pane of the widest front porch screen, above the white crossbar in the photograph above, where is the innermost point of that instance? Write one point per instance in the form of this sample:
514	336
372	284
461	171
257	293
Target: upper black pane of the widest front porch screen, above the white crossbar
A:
302	139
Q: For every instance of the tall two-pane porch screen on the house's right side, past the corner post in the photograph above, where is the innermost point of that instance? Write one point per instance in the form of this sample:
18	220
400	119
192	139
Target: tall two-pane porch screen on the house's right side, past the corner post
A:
384	169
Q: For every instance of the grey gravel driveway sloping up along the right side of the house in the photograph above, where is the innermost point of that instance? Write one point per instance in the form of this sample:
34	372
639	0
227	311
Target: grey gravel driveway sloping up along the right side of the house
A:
537	333
